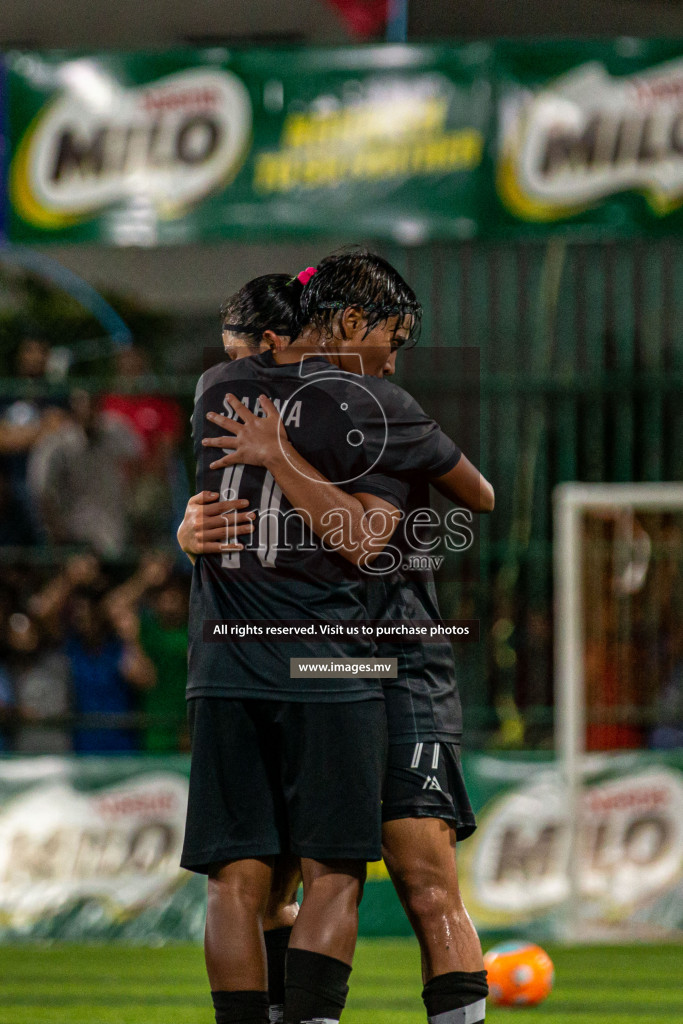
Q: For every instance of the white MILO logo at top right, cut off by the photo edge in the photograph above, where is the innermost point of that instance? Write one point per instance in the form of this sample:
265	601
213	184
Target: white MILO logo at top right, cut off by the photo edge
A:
588	136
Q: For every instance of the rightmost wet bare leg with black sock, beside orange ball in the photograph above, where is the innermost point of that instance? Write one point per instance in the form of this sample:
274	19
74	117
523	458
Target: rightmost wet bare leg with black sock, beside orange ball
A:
420	855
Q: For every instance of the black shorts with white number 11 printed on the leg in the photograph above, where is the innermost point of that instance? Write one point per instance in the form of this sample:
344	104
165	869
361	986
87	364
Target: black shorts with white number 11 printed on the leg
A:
425	781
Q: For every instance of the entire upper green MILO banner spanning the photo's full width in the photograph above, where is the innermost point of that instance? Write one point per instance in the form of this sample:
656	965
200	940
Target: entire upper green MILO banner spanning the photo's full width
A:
406	143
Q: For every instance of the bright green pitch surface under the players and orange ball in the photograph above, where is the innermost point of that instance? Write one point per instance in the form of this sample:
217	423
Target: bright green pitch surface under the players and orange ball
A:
122	986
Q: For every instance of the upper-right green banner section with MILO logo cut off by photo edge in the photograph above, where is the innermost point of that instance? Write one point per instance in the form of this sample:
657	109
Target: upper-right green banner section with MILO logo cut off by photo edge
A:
590	136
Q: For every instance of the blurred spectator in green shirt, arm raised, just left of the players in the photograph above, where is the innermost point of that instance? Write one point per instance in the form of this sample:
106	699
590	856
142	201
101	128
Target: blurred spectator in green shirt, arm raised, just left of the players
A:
163	634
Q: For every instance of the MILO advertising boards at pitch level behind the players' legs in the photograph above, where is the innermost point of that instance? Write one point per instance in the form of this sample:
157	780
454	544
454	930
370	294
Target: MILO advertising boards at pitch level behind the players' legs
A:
90	850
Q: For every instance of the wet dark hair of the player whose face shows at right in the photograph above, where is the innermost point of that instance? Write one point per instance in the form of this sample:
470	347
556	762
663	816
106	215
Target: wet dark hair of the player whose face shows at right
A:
359	278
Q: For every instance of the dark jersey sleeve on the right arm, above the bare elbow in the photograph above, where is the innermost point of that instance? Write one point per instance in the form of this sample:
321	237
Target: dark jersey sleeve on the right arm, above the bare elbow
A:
413	443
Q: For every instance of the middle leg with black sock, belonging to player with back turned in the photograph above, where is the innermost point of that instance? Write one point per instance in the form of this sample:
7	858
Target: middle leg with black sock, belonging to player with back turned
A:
323	943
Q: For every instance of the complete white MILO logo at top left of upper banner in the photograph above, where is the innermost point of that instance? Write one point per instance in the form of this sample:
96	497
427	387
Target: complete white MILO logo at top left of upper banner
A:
160	147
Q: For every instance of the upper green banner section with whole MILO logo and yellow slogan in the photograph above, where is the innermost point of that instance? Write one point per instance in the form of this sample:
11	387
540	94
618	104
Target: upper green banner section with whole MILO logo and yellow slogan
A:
148	149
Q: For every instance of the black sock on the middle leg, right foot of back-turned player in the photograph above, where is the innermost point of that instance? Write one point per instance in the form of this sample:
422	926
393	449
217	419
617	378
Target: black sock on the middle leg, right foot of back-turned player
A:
316	988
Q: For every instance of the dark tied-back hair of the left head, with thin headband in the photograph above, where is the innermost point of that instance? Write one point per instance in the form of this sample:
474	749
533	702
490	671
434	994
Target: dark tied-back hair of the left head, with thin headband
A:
267	304
